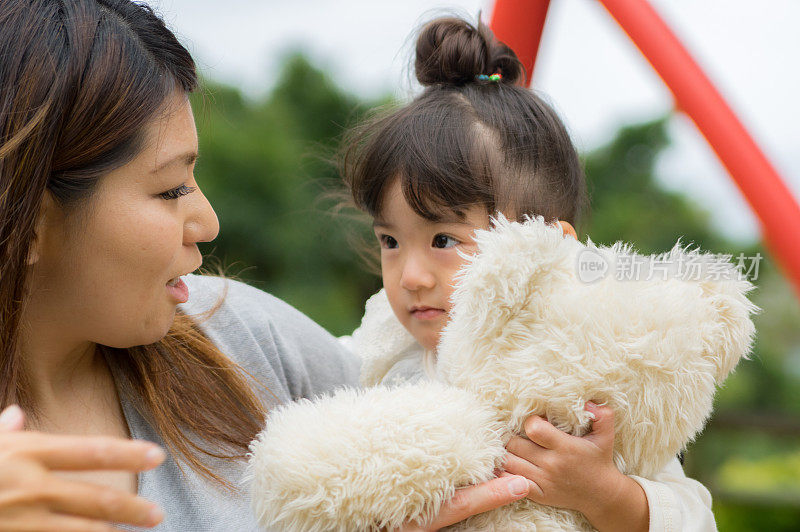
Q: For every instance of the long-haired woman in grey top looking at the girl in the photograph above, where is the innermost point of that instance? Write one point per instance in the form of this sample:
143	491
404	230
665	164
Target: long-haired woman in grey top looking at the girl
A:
100	218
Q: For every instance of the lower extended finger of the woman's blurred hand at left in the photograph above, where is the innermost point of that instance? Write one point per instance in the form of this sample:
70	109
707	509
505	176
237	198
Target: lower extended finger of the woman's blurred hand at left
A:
83	499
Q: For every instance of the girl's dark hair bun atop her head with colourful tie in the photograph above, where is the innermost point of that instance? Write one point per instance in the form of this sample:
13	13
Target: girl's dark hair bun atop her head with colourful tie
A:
451	50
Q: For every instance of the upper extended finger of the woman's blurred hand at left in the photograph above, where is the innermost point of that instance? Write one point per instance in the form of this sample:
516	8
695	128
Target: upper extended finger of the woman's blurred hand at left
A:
81	453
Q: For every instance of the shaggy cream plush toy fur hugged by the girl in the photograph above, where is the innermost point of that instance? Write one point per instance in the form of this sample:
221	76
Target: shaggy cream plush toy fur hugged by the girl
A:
526	336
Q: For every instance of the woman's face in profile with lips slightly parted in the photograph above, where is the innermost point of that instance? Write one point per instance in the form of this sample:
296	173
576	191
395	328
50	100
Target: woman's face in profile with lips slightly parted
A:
102	275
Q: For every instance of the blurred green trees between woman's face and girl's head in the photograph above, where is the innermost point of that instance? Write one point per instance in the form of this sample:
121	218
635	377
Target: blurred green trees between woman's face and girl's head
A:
260	167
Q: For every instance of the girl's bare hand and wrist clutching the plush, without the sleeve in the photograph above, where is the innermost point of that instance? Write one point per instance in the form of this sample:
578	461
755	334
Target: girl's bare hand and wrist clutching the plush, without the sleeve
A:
579	472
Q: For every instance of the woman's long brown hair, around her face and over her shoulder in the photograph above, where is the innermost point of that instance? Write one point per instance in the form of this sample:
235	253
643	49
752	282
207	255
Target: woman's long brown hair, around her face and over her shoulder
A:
79	81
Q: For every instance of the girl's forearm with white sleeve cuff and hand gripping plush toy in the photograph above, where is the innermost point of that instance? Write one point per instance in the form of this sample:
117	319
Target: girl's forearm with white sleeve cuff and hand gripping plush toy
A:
579	473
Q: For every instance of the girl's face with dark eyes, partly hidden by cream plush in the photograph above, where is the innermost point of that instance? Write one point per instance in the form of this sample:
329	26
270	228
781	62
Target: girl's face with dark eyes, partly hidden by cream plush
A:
419	259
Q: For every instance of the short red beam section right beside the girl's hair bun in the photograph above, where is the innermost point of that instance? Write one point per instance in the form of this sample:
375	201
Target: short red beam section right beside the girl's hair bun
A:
519	24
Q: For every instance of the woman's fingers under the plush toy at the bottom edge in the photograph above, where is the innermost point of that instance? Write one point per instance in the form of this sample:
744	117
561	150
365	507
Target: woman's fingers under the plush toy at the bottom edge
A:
475	500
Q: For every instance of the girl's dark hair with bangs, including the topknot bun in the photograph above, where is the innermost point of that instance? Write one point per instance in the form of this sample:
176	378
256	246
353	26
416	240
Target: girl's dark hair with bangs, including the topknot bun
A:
466	141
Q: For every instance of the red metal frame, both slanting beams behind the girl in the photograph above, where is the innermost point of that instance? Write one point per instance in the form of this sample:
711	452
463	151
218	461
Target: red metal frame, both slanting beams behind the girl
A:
519	23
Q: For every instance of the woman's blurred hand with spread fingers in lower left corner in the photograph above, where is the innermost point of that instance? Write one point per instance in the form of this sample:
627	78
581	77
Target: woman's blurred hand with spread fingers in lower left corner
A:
33	498
